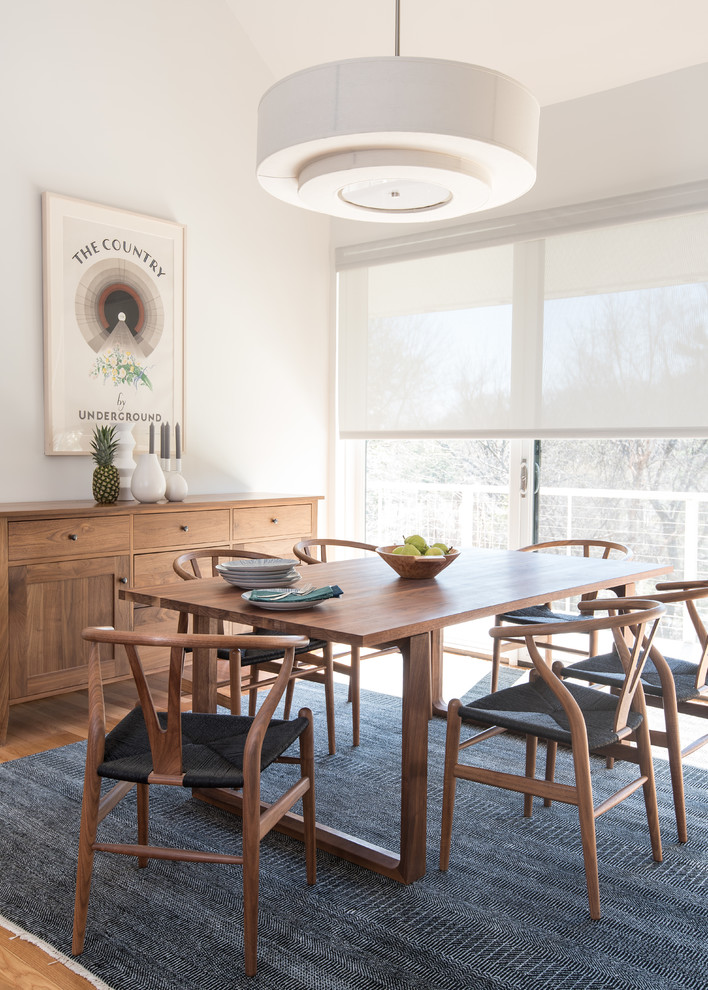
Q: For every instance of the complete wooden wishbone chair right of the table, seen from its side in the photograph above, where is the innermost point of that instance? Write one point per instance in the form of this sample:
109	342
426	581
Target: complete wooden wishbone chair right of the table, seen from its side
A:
583	718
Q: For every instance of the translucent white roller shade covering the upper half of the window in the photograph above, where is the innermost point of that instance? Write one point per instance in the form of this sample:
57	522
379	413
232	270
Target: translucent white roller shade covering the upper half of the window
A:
596	332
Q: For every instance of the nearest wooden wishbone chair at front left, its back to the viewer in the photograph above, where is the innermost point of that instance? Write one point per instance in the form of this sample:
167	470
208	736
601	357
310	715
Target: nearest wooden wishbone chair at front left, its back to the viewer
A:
177	749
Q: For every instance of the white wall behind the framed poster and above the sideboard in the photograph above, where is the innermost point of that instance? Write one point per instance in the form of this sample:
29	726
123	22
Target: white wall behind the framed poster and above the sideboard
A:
151	107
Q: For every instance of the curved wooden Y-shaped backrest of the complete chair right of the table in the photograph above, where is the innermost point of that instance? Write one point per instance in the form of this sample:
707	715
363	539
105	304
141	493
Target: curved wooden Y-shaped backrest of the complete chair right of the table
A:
633	623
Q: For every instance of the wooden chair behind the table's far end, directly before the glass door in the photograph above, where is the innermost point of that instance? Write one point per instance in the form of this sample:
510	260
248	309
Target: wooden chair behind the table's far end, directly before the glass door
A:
535	614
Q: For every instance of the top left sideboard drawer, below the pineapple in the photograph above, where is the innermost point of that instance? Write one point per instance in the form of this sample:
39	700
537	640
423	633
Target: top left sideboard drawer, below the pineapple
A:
80	536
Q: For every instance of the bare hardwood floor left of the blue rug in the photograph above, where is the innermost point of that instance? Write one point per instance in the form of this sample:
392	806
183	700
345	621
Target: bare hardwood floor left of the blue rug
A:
37	726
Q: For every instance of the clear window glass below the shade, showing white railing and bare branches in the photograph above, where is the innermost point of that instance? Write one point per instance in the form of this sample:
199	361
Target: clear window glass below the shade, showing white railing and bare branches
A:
651	495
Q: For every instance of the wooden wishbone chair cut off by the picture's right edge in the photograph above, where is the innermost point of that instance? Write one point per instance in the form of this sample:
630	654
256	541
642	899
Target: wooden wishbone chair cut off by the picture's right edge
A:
674	685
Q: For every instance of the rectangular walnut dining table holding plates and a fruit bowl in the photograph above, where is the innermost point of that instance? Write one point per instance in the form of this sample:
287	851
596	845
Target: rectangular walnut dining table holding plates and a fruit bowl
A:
378	608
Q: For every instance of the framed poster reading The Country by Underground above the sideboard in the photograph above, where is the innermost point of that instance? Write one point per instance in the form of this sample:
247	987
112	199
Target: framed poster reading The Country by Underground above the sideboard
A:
113	322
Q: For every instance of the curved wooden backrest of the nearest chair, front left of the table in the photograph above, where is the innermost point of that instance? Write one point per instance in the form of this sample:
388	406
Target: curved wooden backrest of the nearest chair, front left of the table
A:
166	739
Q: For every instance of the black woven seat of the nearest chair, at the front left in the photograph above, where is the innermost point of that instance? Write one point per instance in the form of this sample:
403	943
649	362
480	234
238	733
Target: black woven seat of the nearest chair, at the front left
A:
212	747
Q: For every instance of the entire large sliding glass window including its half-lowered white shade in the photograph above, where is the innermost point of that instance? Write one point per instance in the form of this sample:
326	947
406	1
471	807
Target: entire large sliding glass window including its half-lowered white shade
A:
528	378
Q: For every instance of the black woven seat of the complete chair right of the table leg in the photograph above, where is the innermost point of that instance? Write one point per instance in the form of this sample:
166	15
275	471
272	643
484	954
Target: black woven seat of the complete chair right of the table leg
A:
533	708
